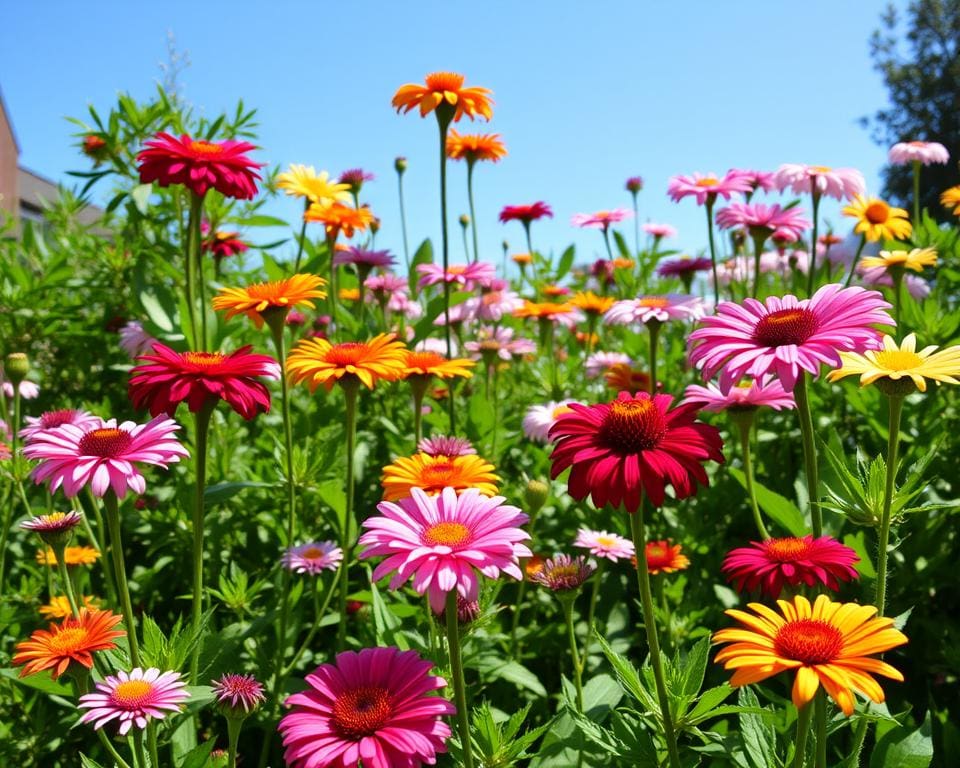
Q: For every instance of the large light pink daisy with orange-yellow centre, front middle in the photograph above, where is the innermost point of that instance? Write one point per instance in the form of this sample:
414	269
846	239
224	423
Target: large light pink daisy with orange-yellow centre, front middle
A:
440	540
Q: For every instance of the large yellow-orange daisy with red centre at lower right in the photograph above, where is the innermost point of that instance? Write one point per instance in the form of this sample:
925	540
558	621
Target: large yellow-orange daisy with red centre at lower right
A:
826	643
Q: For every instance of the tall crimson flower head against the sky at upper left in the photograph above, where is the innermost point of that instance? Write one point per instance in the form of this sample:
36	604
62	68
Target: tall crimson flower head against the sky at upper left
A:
199	165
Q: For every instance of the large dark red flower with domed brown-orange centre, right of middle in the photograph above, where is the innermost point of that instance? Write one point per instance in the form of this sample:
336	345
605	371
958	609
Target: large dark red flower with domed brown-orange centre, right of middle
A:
632	446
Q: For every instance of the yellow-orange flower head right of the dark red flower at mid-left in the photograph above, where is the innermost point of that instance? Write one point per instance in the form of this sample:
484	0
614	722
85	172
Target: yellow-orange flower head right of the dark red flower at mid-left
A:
317	361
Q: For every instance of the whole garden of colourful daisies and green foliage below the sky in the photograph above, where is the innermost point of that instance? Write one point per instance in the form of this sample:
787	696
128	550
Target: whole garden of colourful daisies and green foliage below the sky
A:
319	503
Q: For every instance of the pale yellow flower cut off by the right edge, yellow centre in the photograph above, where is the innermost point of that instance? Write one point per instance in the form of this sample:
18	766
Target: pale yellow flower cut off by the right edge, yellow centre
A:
893	362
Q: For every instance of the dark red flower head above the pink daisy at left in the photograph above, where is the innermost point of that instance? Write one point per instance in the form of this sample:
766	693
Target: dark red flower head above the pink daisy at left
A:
169	378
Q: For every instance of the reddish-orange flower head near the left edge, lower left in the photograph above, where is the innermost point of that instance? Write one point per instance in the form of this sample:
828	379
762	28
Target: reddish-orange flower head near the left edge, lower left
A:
72	641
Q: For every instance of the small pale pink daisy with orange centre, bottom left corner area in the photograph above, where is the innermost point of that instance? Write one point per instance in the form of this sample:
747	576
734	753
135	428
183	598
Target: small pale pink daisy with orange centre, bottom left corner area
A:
134	698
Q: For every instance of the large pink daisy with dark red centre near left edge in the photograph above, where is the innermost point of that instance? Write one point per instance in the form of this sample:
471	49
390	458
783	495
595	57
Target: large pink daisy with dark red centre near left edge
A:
103	455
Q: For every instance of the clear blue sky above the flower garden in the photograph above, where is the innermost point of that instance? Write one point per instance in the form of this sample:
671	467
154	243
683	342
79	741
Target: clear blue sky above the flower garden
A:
586	94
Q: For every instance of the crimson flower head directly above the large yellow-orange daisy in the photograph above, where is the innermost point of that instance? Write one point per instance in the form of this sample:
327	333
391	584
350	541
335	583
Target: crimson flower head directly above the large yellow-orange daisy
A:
769	565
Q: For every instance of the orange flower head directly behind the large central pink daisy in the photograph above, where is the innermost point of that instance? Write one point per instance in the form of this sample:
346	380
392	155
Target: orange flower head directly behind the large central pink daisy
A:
434	473
